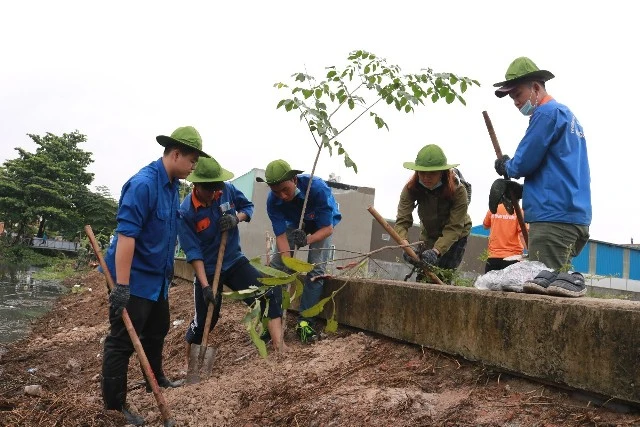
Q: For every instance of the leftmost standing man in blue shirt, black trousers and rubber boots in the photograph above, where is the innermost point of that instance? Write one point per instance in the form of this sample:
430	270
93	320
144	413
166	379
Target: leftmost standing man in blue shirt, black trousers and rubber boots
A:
141	256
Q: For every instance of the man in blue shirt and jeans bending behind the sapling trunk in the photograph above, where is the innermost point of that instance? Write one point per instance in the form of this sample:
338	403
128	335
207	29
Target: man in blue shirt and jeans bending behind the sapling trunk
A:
321	215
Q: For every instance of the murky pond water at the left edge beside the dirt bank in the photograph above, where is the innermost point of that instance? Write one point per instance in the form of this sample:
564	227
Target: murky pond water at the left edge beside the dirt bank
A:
23	299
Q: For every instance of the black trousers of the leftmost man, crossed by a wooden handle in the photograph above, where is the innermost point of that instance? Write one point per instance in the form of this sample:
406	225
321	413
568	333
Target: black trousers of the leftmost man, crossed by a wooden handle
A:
150	320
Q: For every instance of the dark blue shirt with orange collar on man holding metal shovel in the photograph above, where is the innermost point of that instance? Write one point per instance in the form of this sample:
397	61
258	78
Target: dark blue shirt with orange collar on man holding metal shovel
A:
198	228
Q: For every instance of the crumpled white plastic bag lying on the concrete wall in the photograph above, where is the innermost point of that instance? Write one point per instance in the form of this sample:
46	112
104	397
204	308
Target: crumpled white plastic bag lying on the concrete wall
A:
510	278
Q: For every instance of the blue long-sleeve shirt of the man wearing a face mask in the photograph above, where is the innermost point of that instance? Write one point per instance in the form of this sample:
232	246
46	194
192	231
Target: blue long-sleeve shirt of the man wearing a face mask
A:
552	158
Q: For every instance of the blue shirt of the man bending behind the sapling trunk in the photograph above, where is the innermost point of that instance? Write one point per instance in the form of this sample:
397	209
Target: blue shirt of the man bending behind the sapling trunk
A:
321	210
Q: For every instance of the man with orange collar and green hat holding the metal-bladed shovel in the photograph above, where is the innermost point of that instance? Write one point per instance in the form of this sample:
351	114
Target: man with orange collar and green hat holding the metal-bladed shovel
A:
215	206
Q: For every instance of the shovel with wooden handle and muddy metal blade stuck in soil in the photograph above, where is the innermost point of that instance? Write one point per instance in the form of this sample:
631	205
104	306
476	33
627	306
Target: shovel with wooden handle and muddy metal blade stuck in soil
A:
201	357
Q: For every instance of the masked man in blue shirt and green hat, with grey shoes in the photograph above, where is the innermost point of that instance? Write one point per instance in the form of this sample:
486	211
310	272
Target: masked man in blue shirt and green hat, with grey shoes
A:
552	158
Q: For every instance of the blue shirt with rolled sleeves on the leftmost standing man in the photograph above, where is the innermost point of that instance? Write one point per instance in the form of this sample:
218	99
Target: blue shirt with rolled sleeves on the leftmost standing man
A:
148	212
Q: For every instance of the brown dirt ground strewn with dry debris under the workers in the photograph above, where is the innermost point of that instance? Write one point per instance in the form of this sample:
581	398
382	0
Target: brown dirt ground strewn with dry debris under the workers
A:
351	378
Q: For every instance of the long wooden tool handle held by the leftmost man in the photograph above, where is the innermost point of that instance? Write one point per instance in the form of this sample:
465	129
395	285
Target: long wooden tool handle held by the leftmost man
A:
137	345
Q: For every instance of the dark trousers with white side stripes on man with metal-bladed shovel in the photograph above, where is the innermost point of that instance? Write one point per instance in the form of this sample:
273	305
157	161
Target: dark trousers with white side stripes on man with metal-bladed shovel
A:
239	277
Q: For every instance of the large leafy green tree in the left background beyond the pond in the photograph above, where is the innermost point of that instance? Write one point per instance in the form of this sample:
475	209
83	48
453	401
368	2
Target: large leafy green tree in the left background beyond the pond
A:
48	189
